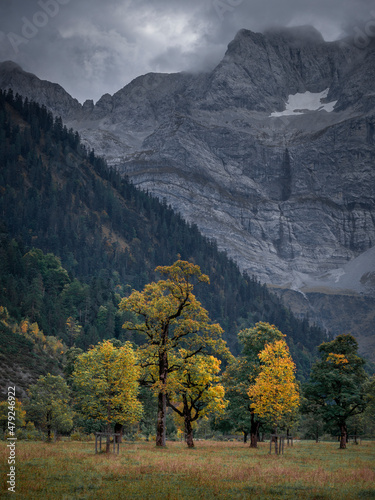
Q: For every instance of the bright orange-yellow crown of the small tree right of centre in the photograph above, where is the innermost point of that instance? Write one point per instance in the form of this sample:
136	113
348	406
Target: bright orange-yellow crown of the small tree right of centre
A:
275	392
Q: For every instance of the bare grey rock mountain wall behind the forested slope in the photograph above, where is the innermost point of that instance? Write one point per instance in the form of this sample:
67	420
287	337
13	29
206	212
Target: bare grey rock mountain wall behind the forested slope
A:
272	153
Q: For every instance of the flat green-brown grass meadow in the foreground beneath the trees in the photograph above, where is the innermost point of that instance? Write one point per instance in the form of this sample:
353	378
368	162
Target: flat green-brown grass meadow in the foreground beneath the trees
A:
213	470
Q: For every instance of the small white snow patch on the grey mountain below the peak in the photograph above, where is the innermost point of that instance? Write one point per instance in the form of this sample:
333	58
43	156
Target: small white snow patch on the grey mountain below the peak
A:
299	103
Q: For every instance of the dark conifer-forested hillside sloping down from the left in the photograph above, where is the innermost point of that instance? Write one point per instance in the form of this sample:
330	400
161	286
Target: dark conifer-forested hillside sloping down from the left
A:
76	237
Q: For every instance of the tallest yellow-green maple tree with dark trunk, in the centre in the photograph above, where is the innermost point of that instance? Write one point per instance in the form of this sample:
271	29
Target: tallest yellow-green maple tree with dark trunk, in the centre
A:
170	316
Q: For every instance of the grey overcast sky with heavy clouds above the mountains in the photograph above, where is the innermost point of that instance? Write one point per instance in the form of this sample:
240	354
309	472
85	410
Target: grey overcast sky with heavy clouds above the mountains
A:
92	47
